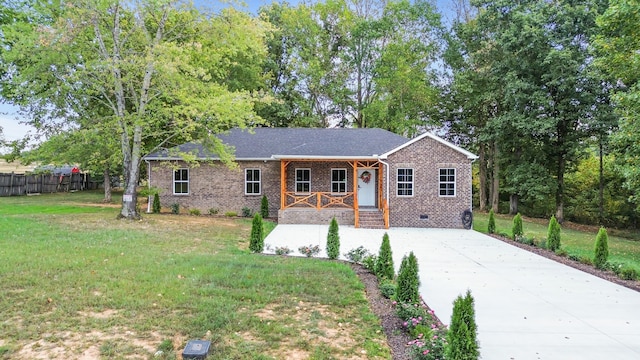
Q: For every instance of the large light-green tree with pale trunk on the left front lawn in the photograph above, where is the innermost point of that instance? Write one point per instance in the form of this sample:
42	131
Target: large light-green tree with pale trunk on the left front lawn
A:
160	68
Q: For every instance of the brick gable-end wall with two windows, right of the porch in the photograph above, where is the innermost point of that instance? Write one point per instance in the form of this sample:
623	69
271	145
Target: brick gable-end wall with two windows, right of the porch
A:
426	157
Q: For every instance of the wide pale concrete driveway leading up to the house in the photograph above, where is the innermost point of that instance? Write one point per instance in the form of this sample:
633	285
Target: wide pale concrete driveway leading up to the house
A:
527	307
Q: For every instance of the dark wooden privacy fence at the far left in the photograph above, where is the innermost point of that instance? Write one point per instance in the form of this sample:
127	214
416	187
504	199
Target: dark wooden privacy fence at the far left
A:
21	184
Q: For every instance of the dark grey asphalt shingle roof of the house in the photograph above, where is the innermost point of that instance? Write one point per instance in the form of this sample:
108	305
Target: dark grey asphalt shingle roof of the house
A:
265	143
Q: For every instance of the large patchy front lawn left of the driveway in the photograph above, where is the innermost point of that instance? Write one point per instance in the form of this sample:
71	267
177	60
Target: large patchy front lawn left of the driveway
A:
75	279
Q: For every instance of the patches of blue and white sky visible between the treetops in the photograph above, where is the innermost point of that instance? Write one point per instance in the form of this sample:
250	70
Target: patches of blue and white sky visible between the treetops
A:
12	129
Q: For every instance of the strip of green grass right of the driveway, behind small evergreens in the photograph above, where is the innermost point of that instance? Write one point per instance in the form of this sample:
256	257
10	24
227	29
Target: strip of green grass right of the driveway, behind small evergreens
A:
581	243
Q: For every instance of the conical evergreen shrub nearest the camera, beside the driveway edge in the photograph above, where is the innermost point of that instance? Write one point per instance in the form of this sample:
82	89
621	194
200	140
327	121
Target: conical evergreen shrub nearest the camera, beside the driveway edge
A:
463	331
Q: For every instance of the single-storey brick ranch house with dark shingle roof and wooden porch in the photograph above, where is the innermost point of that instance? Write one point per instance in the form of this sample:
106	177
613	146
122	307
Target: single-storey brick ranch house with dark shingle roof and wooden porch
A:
364	177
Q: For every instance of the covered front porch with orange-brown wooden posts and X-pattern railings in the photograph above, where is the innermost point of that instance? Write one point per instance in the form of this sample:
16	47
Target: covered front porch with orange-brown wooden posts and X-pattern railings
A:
312	190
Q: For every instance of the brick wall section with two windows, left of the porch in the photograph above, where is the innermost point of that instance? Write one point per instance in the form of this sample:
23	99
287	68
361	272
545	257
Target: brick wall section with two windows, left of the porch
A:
213	185
